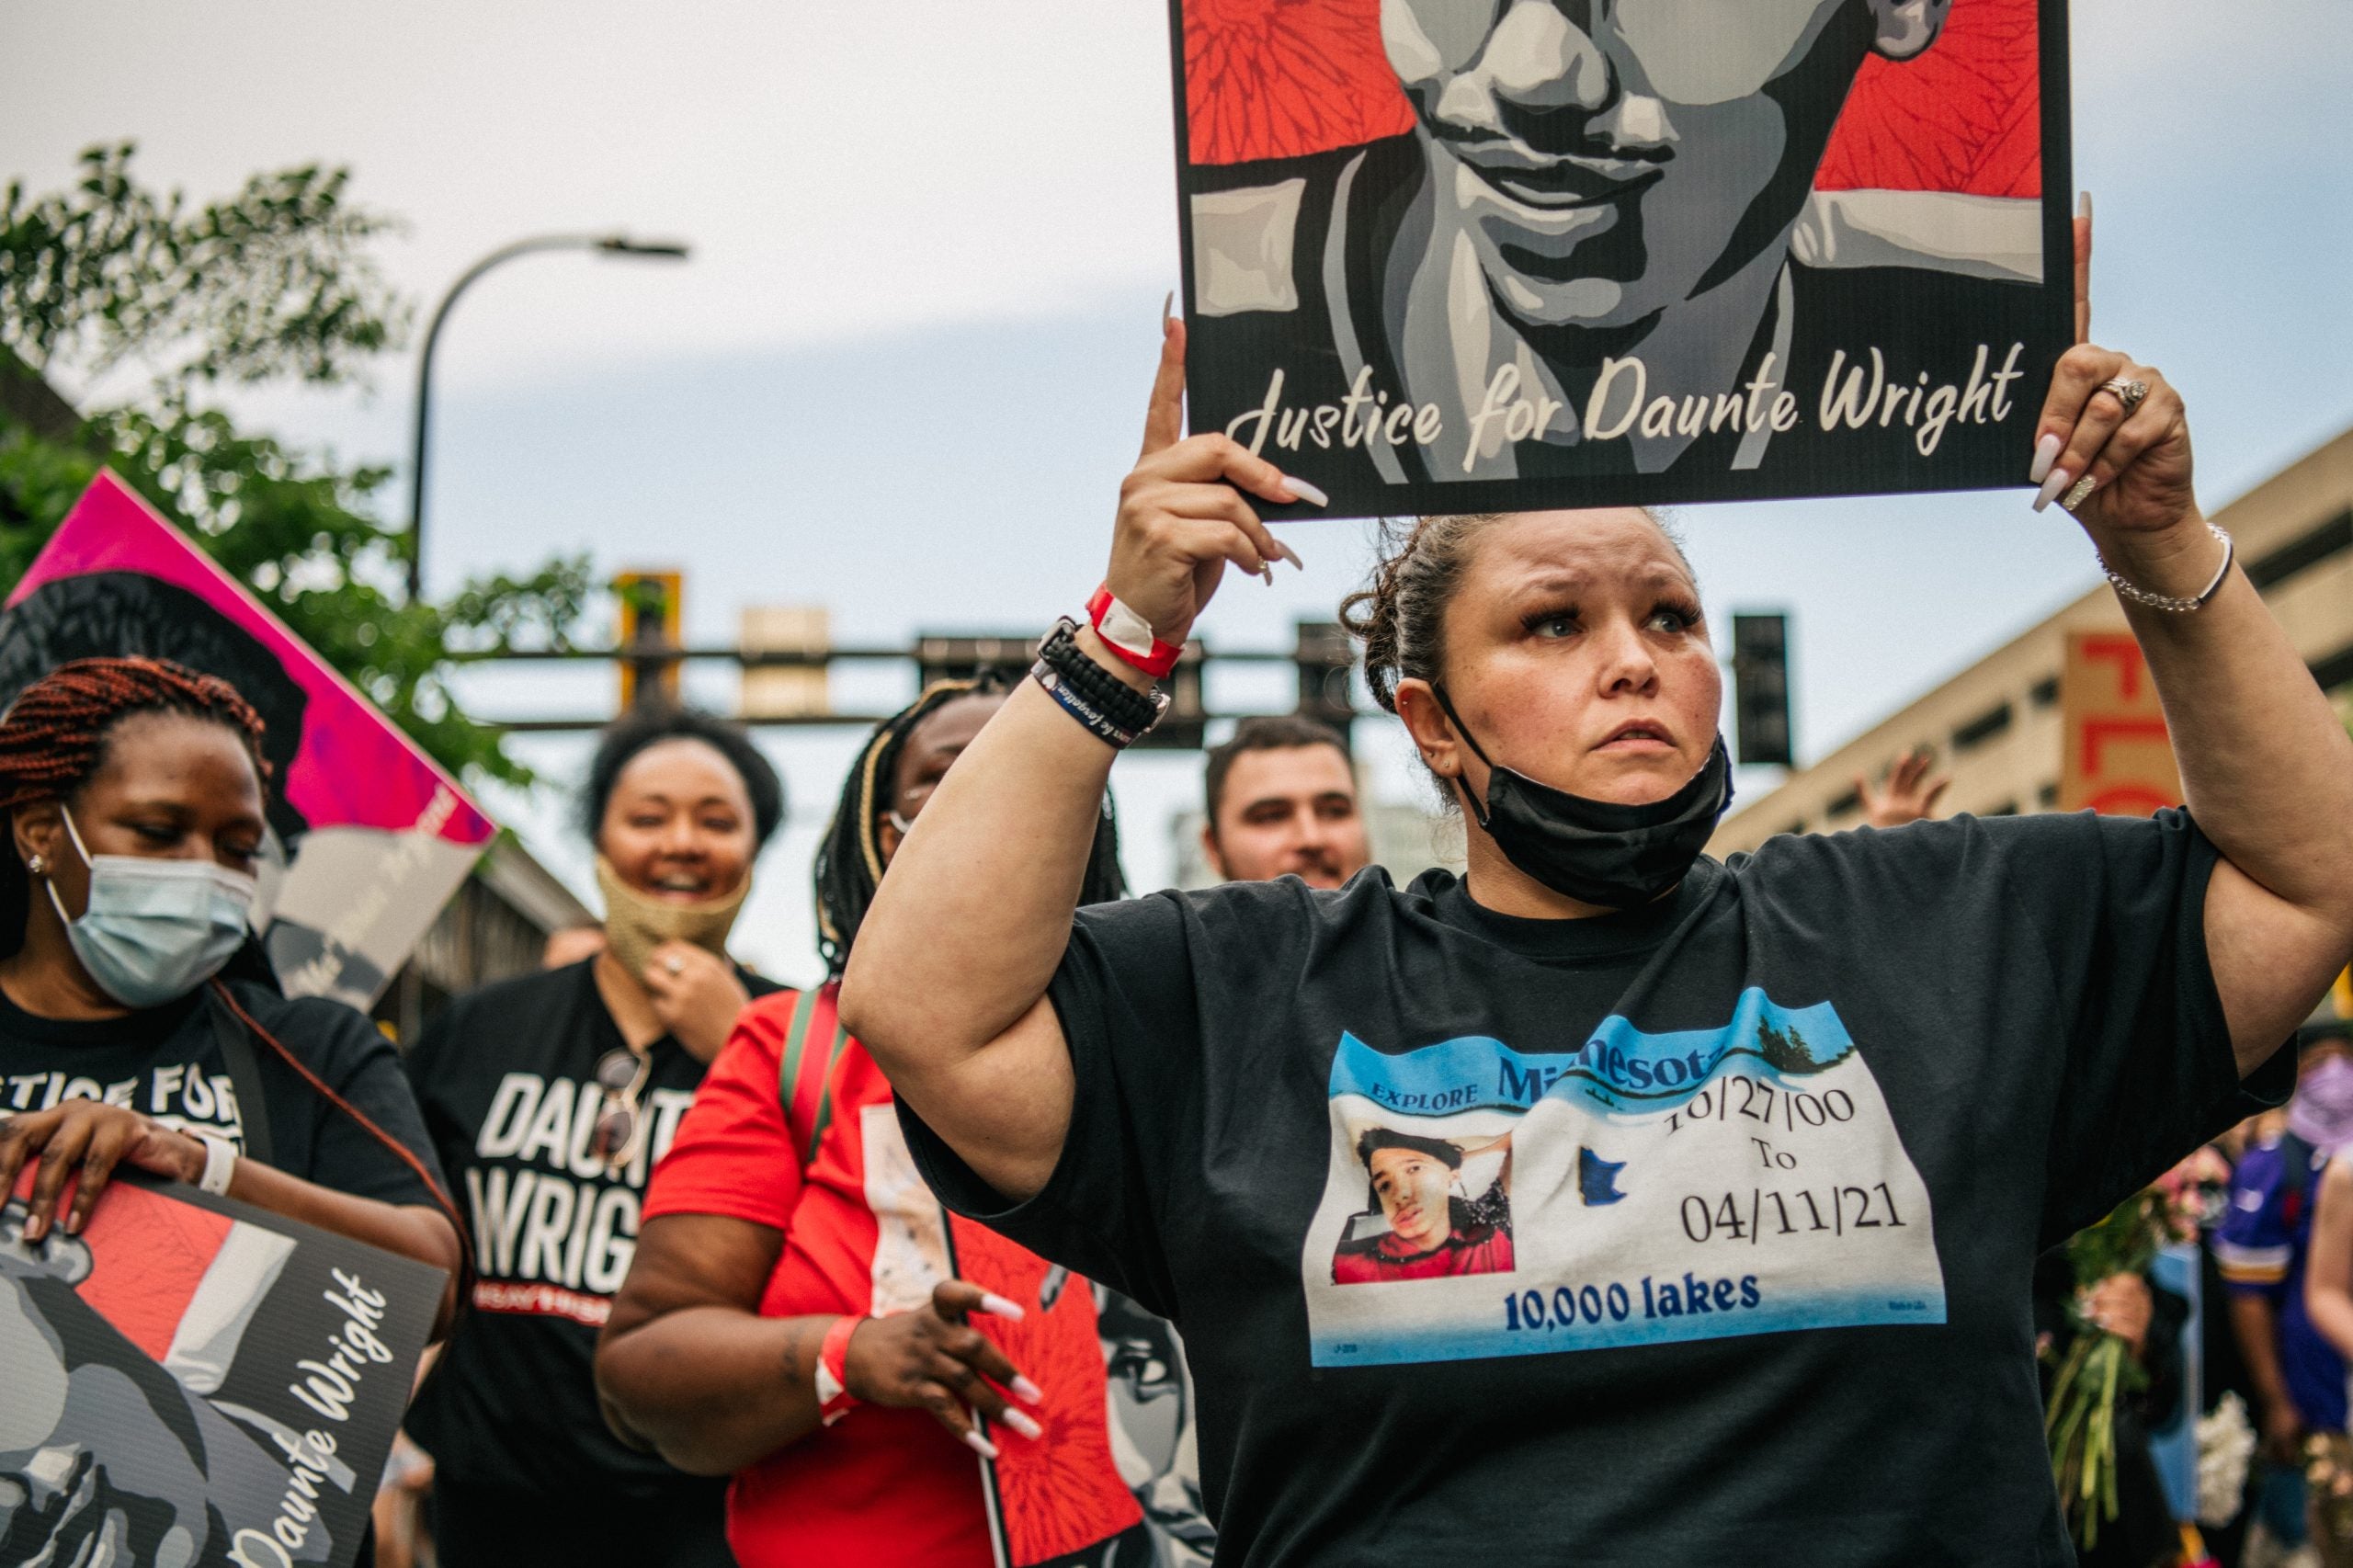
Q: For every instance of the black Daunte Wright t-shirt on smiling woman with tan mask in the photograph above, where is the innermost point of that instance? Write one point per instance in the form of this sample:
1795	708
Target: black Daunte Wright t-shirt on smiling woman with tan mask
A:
507	1082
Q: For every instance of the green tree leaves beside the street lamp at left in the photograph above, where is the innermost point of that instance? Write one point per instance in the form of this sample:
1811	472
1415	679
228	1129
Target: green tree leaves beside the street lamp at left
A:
267	286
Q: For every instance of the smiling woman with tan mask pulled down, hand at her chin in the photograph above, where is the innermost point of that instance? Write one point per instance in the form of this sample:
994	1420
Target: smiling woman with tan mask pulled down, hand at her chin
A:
552	1098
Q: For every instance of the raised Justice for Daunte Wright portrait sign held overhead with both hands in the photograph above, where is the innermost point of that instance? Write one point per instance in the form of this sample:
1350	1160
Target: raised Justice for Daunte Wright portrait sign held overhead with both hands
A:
1484	255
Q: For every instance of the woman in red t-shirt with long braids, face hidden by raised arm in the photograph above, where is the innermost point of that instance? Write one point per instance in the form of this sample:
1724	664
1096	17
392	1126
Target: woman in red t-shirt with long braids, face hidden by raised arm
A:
794	1268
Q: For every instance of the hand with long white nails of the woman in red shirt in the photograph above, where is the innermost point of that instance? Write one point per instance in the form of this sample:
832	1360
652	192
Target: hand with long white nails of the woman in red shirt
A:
935	1360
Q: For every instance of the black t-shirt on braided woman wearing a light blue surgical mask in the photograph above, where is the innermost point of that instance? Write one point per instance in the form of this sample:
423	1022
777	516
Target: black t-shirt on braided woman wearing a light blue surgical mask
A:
168	1065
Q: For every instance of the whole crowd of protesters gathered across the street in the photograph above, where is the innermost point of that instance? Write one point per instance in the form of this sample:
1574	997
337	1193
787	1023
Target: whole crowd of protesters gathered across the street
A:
1060	1225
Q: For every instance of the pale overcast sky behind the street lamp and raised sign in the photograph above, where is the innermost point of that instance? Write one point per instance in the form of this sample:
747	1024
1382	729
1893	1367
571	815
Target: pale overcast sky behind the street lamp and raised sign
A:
905	368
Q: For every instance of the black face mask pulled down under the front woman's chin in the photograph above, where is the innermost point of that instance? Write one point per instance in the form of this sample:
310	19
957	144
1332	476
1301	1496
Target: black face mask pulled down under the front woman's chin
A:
1599	851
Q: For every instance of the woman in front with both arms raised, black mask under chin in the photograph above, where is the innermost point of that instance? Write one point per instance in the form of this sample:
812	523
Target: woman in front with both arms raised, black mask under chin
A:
1787	1131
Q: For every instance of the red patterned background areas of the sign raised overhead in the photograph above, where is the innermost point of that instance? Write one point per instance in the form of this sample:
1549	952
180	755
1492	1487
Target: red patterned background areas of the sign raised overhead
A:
1281	79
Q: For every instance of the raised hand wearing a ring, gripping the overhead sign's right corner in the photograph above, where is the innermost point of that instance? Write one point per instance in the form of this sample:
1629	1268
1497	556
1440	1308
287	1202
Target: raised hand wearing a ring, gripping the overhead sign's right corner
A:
2138	465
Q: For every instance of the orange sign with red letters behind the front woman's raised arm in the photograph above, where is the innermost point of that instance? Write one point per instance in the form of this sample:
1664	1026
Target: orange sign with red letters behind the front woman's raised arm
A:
2119	759
